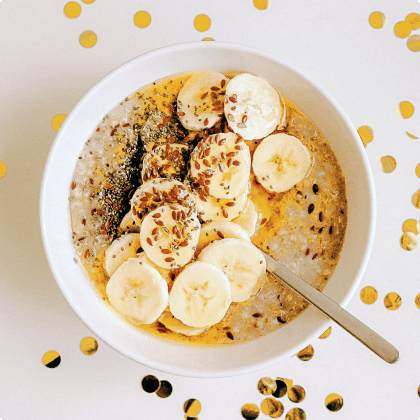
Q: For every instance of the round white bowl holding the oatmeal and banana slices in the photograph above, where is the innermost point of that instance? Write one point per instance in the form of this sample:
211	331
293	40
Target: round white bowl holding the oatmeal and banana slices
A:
210	361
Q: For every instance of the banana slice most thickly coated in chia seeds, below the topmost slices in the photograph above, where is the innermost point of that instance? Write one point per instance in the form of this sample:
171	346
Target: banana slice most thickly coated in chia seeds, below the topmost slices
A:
161	128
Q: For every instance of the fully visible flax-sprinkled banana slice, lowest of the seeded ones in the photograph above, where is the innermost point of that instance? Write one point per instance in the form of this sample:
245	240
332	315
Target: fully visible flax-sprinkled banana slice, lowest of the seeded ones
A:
169	235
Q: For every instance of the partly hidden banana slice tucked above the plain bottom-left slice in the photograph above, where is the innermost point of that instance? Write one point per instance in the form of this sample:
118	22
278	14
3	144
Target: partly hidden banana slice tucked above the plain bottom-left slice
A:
121	250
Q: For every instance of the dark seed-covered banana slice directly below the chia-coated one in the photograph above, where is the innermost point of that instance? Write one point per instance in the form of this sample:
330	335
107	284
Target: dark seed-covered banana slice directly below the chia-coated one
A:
168	161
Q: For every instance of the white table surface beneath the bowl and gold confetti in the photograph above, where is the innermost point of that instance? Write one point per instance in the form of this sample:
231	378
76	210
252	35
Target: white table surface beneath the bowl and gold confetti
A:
44	71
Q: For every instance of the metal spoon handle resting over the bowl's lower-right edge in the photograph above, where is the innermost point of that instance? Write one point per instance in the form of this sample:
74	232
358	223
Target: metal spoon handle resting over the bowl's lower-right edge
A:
356	328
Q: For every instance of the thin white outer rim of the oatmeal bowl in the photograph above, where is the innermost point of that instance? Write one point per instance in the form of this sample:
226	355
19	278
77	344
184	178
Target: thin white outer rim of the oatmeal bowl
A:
97	87
